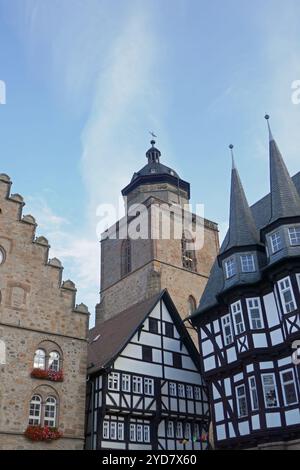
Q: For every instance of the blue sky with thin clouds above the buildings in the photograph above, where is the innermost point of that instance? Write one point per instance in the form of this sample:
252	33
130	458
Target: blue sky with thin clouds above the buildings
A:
87	79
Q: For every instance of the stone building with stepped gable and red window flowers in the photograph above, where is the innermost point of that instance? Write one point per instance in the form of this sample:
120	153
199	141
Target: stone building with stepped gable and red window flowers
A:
43	338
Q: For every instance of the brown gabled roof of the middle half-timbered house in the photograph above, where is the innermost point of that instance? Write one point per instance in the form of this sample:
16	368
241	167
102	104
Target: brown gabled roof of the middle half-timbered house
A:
108	339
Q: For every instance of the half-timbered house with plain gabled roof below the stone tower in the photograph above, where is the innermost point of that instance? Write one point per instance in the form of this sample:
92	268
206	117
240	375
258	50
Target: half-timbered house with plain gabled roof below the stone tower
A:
145	390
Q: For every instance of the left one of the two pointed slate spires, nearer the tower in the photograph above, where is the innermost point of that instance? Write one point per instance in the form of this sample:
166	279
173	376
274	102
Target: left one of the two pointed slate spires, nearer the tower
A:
242	228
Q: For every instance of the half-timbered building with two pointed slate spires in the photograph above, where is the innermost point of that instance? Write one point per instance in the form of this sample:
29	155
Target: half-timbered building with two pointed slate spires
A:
248	318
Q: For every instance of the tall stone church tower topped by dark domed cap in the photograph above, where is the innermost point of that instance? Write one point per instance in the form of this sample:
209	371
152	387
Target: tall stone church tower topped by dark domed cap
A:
136	269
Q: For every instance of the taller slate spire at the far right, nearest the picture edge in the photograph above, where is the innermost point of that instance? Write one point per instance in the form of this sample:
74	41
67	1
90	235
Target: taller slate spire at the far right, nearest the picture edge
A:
285	200
